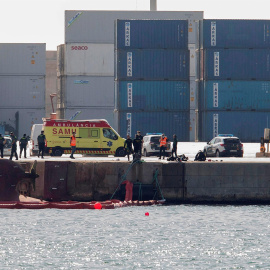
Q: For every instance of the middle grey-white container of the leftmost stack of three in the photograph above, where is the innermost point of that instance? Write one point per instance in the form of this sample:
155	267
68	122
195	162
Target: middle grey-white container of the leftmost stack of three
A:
22	91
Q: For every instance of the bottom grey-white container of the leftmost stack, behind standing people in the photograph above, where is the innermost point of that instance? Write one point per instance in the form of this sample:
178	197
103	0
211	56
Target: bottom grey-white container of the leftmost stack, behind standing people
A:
21	120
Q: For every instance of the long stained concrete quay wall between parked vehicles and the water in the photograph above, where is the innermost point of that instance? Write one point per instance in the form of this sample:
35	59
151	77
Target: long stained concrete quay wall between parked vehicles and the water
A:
186	182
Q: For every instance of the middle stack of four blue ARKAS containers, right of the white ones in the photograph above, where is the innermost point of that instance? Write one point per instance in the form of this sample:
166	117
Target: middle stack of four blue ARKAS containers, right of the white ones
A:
152	77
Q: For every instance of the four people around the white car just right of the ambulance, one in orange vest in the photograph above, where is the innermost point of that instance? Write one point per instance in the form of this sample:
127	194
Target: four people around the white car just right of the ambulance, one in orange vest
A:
137	144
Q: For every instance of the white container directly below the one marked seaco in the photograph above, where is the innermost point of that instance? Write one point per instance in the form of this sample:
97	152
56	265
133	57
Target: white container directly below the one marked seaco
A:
85	91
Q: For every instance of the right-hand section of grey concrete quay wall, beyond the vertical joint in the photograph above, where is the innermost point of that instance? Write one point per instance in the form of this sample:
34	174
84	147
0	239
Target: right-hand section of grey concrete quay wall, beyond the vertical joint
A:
227	182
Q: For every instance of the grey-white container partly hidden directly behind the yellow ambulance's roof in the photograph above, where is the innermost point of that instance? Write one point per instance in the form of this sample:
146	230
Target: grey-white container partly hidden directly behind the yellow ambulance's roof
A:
91	113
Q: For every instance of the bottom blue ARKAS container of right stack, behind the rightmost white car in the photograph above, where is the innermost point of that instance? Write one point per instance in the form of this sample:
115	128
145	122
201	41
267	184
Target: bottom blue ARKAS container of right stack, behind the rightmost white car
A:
247	125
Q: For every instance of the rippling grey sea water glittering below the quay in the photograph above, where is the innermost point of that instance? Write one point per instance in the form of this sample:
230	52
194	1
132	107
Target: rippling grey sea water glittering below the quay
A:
171	237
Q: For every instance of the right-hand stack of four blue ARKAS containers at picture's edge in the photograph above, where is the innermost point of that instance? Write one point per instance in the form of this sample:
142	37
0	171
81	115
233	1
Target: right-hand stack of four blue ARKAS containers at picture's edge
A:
235	78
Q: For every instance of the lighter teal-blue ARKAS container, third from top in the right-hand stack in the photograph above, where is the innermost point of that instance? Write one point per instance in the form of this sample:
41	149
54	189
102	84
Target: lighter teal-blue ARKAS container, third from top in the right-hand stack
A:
235	95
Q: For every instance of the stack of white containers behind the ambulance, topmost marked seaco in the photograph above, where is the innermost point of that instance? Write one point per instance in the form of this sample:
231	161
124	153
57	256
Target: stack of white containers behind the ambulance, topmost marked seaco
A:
86	79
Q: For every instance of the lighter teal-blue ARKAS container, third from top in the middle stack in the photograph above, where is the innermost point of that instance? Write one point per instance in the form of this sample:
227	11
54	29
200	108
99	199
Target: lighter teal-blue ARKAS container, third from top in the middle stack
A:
152	95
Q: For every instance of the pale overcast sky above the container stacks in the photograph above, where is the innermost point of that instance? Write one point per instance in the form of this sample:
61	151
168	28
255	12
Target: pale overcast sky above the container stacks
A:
42	21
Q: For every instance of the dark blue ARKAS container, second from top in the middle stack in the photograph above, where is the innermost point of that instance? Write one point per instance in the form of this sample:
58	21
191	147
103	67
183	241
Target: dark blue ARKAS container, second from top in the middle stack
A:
152	65
